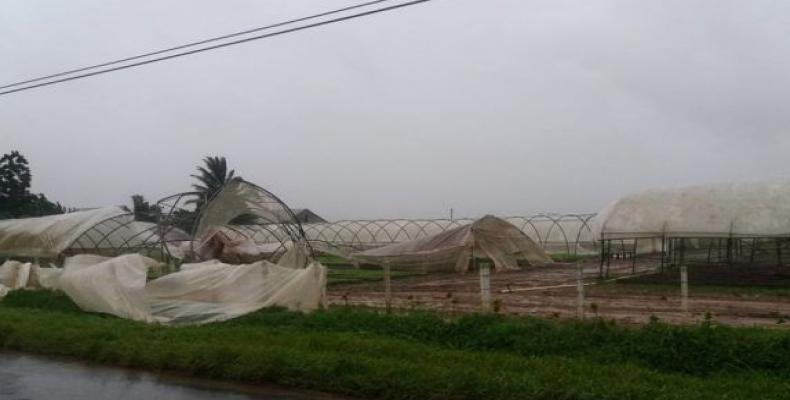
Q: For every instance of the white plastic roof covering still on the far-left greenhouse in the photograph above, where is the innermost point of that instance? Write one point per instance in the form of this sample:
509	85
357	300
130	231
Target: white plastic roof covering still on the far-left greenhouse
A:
48	237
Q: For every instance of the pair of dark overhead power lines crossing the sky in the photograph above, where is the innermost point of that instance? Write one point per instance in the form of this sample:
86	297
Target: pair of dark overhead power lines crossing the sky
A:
217	46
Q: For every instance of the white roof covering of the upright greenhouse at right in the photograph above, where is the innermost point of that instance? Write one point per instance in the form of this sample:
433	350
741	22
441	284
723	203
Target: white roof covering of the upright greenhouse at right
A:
722	210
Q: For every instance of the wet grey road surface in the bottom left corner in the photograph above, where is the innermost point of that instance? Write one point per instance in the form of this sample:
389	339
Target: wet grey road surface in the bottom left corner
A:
28	377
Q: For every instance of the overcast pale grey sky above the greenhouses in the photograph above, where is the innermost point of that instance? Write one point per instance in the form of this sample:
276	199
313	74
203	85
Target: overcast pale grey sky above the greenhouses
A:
502	106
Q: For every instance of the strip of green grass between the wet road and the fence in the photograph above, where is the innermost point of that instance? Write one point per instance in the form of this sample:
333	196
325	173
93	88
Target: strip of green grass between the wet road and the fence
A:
421	355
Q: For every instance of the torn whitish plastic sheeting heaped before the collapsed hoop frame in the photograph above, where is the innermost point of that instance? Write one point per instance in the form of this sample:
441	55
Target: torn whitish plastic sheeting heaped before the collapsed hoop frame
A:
199	293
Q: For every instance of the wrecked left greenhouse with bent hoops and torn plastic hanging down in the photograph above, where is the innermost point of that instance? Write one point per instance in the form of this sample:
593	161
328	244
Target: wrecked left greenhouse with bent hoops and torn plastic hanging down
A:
204	289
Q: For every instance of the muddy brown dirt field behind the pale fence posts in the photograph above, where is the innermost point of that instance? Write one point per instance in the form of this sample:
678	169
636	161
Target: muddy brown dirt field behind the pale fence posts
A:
624	302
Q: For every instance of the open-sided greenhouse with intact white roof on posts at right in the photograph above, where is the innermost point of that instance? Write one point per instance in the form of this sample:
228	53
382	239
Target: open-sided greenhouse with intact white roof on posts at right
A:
748	222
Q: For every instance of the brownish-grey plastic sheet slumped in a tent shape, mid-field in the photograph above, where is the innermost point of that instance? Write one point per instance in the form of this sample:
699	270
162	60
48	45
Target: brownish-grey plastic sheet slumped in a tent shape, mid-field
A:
489	236
